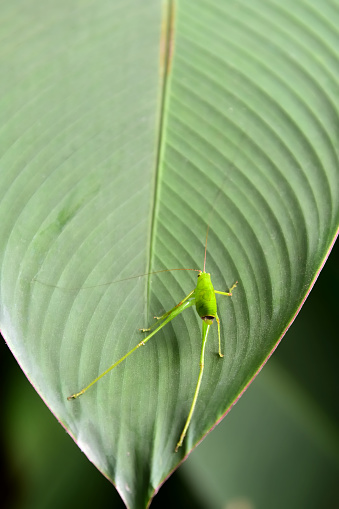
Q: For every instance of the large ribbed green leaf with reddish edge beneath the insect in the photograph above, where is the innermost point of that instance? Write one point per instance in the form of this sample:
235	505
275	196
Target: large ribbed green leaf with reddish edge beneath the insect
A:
115	155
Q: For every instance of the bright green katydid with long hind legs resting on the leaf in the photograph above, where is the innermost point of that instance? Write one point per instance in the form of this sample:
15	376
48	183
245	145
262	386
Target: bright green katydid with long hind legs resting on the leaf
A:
203	297
